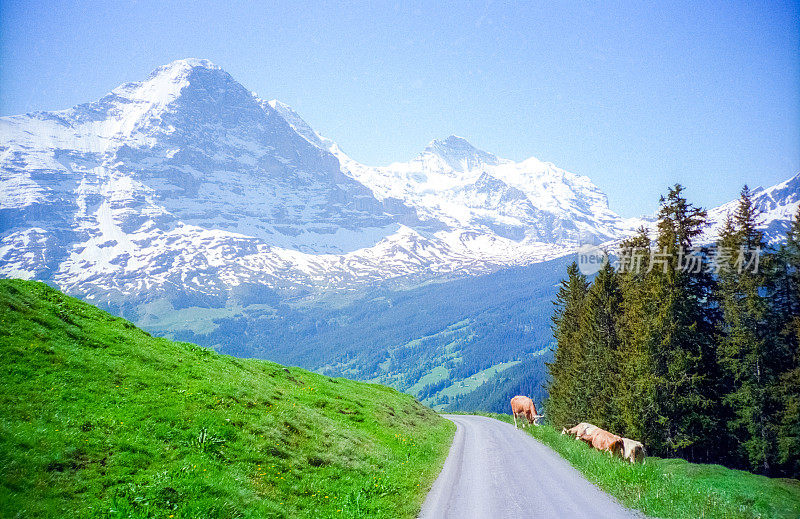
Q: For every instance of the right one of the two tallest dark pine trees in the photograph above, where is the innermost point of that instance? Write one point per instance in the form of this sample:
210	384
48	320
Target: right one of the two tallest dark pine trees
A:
748	349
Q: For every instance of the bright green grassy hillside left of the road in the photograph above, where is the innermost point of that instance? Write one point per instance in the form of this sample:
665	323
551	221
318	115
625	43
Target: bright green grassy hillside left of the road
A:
98	418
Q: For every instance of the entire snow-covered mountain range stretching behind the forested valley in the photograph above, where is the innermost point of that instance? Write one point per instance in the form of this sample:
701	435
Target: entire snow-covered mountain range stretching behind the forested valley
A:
186	184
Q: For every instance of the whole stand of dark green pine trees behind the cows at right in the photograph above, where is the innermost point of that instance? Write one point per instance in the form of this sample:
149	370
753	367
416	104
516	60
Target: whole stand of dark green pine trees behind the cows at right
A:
691	349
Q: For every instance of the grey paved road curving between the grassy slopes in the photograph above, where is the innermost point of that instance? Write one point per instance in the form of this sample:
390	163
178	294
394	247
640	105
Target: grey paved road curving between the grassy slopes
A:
494	472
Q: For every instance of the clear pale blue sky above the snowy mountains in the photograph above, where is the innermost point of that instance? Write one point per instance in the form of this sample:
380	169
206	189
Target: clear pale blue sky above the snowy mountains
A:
702	93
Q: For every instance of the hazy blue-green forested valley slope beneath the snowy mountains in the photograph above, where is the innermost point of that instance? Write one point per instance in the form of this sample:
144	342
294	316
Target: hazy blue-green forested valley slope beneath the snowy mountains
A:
420	340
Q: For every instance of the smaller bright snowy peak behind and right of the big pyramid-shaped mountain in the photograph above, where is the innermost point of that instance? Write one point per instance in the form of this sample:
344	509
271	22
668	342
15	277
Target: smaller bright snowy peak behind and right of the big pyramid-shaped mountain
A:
462	187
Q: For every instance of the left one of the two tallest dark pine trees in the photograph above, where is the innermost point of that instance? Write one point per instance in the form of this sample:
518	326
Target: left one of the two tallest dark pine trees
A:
681	337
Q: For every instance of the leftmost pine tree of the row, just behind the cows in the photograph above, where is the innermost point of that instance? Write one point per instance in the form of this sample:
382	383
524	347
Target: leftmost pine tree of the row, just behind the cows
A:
566	403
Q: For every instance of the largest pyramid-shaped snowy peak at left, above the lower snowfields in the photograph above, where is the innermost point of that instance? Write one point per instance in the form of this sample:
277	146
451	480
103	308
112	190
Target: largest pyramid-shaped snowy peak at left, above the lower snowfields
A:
210	152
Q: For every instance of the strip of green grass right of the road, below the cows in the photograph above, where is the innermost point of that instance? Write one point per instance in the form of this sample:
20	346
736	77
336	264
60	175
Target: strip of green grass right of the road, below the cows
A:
675	488
